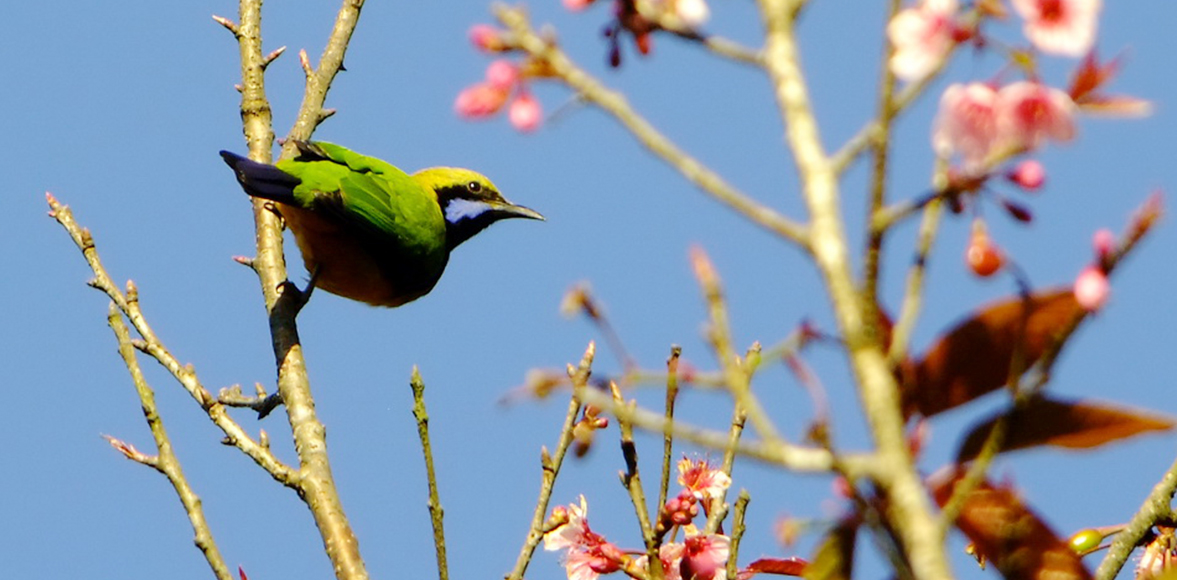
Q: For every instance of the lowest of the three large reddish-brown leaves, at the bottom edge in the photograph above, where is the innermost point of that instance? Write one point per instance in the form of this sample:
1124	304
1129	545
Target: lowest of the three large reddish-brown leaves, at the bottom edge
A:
1008	535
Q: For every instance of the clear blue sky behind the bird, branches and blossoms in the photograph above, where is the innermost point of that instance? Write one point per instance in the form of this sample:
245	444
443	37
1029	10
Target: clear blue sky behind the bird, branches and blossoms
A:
119	110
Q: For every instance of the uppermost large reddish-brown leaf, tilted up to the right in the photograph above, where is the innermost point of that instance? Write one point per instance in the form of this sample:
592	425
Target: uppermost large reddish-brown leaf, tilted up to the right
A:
974	358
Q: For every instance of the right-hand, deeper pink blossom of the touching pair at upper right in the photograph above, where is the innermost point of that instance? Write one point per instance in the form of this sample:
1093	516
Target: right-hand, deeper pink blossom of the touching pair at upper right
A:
1030	112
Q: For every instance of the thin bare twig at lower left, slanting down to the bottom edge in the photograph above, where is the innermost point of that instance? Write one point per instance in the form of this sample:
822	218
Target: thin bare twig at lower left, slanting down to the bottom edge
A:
167	463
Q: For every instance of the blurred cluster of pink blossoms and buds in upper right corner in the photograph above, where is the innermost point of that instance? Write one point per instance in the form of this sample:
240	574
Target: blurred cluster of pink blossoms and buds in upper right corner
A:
987	124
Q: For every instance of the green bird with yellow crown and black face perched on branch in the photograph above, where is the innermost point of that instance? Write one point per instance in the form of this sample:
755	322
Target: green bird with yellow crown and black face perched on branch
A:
369	231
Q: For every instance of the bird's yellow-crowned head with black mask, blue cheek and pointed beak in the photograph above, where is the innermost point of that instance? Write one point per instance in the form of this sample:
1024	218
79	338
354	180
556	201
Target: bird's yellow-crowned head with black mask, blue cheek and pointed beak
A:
469	202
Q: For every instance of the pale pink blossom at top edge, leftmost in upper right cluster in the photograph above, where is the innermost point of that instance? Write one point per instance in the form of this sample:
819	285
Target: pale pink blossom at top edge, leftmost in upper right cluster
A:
922	38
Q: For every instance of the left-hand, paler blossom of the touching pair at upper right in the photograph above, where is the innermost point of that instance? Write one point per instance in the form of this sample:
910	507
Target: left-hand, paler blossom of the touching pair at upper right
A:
967	123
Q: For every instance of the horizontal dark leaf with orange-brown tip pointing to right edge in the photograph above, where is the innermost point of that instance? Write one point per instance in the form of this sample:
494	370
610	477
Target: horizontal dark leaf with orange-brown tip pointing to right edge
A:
1076	425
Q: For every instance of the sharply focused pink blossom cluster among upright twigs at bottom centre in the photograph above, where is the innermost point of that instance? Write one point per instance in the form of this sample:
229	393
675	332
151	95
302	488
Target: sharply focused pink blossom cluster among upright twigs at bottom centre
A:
699	557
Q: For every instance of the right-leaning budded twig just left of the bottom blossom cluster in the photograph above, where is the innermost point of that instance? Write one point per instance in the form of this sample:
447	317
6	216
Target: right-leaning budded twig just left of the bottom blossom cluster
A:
551	464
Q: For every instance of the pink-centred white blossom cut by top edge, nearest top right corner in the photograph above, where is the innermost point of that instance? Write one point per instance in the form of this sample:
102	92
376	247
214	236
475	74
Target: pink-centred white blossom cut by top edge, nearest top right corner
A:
1066	28
